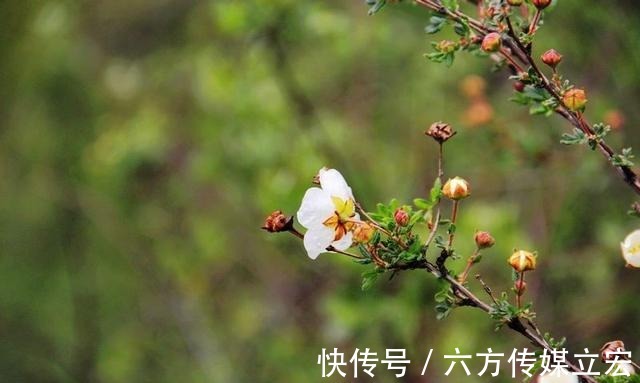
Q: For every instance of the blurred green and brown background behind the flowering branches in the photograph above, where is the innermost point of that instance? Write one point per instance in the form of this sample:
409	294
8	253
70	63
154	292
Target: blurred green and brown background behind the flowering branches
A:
144	141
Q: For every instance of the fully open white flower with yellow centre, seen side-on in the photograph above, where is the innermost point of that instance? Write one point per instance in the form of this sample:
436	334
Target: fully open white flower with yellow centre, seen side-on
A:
328	214
